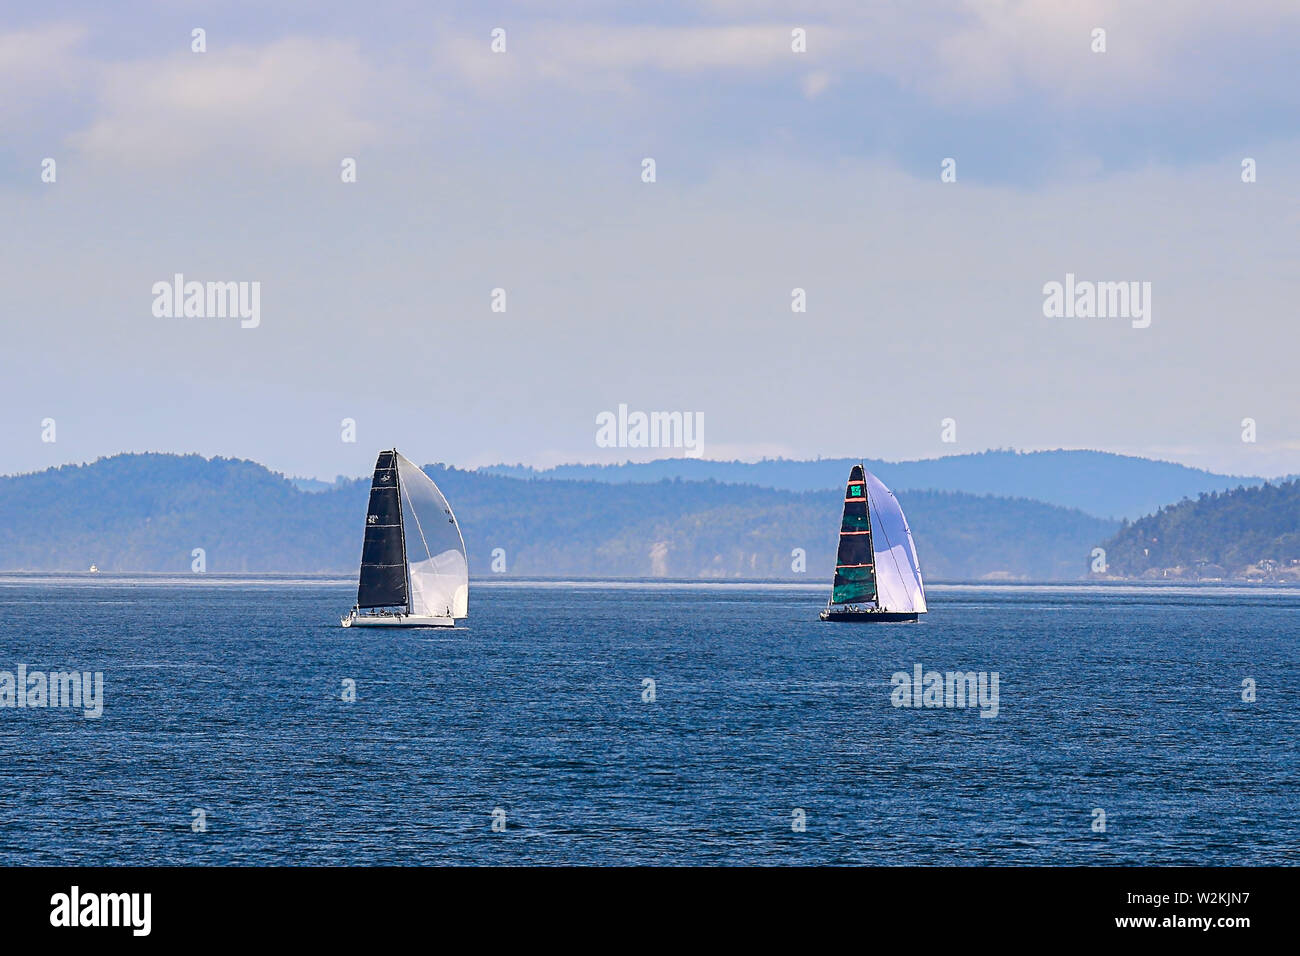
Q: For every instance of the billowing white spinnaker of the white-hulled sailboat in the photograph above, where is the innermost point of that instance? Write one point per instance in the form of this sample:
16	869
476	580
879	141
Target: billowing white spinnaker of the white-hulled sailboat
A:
436	553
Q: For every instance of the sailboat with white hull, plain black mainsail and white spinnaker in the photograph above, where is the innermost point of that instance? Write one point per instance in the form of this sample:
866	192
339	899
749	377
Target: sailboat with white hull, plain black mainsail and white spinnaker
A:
414	569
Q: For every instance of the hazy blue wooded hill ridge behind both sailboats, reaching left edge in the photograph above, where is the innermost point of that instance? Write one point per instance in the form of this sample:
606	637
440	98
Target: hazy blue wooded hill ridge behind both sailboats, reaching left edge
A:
150	512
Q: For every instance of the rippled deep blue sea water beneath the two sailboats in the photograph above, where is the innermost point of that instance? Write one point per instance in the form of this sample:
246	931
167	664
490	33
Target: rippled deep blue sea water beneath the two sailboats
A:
227	697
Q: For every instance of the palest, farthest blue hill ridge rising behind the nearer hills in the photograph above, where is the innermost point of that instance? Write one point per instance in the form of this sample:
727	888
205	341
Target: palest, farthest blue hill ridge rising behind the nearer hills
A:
1098	483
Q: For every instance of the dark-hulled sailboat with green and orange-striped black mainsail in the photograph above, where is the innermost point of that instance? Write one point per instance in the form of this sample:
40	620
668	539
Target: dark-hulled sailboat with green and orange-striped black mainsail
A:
877	574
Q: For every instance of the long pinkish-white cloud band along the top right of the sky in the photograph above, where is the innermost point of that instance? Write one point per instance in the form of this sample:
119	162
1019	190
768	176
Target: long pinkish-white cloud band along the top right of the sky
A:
970	53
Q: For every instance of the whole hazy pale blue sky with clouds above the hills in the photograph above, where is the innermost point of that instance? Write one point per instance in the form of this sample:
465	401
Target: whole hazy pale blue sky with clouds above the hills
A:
775	170
